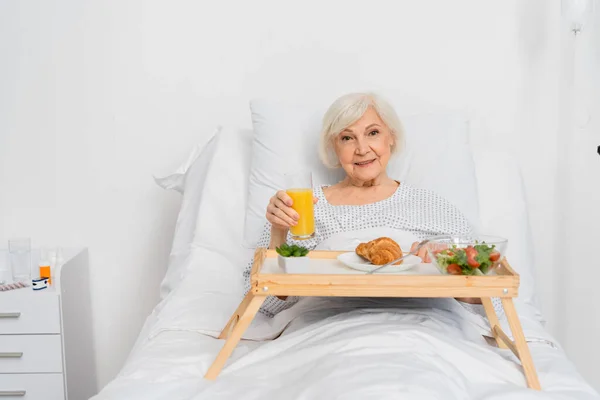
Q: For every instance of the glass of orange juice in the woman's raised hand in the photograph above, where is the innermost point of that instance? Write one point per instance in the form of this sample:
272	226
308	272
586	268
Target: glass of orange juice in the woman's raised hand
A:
299	188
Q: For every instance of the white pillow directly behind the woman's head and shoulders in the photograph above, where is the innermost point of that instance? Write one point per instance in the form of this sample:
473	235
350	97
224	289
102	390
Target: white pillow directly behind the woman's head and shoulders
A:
437	157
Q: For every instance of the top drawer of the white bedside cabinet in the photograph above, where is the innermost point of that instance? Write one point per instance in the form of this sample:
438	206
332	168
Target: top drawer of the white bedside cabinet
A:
25	313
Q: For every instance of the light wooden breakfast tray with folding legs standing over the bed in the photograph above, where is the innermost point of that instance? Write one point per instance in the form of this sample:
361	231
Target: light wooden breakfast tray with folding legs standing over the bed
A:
329	277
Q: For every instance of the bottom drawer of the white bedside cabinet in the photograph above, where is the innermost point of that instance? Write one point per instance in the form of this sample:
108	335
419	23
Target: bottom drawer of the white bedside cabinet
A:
31	387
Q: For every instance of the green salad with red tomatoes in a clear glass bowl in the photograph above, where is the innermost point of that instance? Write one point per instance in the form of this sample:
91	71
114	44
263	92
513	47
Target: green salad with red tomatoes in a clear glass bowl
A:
471	260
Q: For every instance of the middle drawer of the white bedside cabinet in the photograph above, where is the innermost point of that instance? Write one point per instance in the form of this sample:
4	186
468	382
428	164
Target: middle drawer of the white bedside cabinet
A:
30	353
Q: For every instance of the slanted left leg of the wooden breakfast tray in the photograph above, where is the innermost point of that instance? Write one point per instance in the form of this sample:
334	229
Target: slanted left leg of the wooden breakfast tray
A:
248	309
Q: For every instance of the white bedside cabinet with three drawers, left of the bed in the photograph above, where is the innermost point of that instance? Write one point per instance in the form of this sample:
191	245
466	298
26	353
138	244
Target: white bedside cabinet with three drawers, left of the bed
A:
46	343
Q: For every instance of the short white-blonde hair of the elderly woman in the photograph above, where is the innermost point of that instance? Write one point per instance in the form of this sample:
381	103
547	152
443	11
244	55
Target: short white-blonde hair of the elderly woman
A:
348	109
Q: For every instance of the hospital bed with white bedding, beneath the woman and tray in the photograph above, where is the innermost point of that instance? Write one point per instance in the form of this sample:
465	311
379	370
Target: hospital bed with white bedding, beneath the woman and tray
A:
323	349
